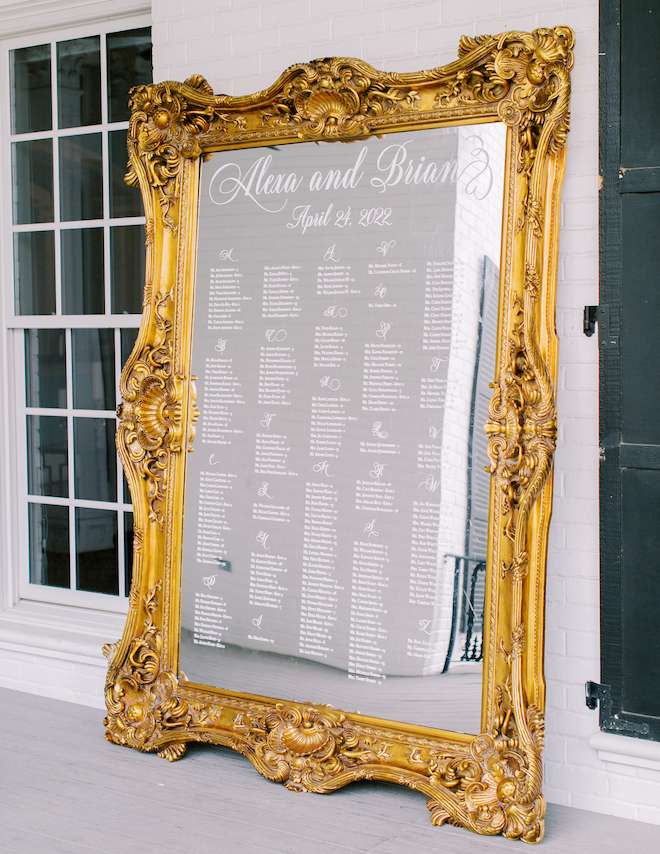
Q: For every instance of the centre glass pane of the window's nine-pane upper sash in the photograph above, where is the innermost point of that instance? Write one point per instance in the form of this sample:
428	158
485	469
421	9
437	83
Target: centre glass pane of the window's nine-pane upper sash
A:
81	177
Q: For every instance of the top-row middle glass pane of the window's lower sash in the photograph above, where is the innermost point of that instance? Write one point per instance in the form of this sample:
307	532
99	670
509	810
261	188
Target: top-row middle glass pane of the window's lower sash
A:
93	369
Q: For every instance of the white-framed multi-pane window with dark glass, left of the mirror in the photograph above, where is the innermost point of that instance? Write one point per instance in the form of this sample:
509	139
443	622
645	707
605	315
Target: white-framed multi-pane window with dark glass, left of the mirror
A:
76	262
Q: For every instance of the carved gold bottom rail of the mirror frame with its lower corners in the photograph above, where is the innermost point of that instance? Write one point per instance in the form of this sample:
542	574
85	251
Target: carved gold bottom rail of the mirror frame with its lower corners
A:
489	784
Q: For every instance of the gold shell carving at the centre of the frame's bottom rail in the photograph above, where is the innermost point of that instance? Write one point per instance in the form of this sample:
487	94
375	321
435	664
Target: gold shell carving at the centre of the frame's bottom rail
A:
305	748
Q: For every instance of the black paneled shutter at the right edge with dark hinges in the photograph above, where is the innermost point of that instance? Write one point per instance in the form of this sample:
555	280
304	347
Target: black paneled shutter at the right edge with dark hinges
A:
630	366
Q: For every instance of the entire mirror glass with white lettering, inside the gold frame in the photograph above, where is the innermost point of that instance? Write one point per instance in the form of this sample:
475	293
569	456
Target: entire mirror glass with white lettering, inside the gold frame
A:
336	505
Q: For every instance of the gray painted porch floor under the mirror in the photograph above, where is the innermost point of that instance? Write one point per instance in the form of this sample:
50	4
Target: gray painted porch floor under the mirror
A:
65	790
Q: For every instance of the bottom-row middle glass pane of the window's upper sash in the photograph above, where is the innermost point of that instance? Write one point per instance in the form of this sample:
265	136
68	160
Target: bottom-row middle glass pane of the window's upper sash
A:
82	271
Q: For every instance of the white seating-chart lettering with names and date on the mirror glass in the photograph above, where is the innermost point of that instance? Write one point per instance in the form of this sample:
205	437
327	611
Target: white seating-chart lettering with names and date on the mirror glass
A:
323	331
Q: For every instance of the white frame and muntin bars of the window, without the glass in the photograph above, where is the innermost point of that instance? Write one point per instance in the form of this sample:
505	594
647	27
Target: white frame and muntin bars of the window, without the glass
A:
14	545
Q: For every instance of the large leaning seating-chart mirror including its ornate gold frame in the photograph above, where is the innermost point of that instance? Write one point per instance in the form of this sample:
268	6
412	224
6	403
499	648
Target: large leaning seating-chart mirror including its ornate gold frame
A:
338	571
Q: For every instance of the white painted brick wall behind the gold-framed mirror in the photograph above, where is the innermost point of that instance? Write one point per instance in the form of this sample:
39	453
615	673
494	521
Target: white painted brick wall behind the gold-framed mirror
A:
242	46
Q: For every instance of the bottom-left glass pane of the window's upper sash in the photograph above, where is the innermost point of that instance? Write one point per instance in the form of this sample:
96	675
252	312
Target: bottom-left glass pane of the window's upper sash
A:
34	272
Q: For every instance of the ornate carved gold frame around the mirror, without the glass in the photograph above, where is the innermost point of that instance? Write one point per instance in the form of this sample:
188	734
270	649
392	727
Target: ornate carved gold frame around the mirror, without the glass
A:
491	782
